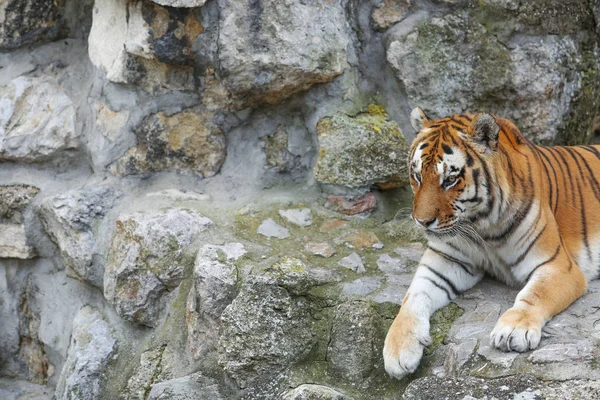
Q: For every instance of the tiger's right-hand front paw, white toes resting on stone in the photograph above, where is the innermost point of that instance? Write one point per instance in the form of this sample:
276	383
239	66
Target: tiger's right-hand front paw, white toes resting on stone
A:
517	330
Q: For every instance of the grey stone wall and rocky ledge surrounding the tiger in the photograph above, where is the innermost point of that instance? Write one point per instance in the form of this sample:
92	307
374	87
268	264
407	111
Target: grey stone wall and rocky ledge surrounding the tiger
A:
203	199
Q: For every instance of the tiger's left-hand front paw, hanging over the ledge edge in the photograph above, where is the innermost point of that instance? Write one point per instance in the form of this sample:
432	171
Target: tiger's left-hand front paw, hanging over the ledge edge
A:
404	346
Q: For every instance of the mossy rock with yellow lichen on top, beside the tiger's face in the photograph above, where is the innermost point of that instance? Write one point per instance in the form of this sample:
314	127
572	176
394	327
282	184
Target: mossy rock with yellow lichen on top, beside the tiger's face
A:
361	151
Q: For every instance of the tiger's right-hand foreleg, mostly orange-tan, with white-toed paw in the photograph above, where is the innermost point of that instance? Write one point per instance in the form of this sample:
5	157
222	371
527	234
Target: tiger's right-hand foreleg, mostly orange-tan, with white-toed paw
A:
551	288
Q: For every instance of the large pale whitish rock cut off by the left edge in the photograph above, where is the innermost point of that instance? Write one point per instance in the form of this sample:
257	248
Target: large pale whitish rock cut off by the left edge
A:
37	121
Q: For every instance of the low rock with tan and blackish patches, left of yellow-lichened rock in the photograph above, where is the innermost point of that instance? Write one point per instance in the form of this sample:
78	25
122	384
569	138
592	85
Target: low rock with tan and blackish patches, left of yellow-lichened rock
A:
186	142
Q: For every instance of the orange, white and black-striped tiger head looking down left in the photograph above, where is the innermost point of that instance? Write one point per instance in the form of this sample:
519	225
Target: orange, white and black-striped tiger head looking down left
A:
450	169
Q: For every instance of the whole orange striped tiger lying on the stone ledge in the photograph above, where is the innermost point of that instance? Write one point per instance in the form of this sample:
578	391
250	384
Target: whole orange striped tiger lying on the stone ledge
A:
490	201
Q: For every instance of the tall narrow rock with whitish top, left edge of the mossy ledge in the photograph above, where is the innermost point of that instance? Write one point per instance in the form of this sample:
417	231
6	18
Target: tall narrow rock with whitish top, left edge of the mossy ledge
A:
214	288
